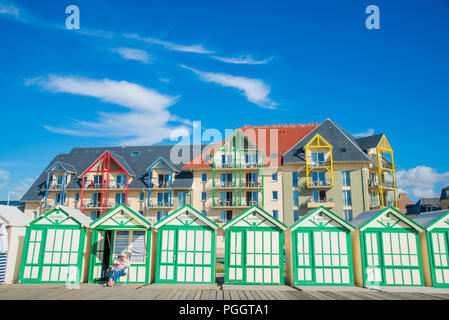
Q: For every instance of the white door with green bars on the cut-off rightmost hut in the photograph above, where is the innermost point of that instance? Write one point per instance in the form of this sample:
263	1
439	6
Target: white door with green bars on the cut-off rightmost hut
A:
440	256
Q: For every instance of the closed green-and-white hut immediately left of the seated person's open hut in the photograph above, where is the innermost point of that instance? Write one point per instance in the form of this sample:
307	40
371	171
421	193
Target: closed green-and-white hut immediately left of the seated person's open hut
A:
55	249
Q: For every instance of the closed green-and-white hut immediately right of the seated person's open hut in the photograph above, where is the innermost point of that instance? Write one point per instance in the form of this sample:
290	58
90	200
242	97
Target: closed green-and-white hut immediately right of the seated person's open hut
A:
185	247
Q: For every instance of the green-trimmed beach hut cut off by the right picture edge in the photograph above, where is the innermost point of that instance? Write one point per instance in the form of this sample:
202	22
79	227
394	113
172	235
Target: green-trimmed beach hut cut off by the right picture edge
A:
435	247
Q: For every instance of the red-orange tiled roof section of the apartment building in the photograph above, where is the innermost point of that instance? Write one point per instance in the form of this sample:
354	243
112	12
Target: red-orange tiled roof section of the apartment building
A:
287	136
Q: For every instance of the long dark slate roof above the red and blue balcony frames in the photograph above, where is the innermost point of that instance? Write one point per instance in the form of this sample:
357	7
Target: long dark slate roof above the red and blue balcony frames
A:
83	158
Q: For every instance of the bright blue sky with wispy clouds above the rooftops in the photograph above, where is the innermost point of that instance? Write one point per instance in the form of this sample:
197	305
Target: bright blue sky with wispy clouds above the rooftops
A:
136	70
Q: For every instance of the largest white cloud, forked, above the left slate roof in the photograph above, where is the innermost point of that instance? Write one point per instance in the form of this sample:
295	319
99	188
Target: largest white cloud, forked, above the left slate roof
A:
147	120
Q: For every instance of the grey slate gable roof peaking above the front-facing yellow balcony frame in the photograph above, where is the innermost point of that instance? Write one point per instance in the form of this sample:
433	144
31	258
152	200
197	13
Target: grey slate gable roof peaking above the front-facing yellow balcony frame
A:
337	137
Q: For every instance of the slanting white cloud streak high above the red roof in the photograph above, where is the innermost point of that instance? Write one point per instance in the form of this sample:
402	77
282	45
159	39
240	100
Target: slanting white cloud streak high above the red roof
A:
255	90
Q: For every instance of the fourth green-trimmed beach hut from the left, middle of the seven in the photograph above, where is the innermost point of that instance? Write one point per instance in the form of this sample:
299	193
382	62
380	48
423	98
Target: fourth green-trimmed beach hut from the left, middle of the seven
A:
254	248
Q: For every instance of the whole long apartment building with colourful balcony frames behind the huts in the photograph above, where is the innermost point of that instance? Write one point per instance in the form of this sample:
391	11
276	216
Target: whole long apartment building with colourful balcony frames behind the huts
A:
288	170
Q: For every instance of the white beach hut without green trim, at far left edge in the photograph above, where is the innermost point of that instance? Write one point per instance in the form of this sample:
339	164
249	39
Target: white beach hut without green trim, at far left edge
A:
12	233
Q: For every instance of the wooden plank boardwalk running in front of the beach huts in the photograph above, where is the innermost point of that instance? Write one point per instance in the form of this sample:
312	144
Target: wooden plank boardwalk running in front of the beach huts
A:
210	292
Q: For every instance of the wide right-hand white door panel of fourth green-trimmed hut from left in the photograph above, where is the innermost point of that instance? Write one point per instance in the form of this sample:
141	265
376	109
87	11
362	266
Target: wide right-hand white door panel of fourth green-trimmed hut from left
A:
262	257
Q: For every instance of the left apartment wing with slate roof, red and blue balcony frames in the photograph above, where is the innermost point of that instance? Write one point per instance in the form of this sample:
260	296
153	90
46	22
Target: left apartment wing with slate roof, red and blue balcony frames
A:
95	180
